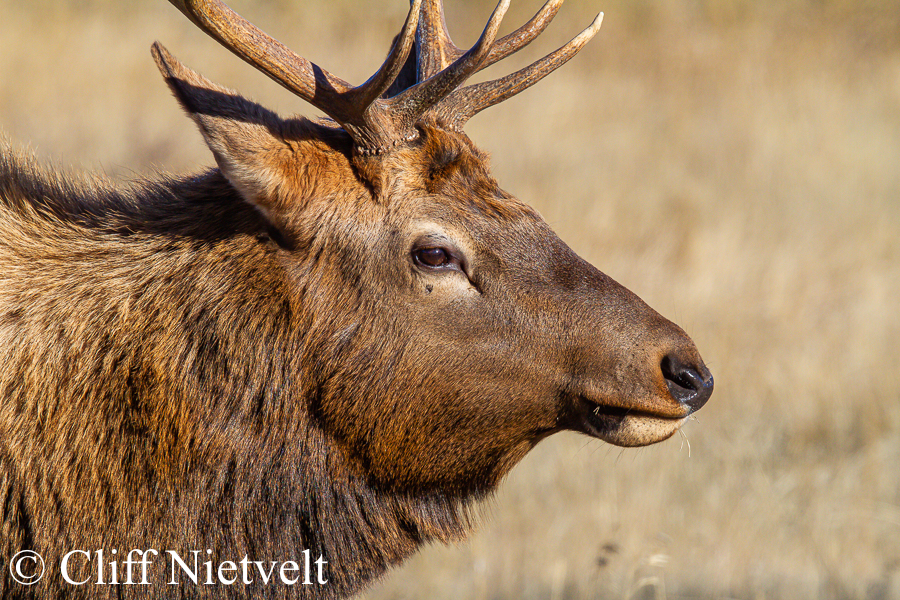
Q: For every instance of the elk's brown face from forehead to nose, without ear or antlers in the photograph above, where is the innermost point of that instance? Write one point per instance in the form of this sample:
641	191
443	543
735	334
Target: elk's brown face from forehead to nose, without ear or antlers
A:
475	332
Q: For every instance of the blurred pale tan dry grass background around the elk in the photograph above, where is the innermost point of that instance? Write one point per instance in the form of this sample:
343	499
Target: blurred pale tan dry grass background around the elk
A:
735	163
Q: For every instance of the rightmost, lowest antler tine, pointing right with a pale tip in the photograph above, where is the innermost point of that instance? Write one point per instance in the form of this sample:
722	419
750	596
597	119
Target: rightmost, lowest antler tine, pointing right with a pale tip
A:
461	105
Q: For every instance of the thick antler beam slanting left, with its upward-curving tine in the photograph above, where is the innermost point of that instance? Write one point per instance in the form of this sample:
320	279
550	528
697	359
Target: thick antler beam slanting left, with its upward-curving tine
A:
355	108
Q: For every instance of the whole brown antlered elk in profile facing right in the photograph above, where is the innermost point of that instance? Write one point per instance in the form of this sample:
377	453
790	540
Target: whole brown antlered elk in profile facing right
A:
333	344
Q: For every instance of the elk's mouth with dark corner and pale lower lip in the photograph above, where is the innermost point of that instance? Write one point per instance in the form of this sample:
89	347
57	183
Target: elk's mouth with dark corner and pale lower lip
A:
624	426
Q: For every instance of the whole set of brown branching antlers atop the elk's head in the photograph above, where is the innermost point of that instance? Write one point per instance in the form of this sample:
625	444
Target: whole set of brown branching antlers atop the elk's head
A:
377	124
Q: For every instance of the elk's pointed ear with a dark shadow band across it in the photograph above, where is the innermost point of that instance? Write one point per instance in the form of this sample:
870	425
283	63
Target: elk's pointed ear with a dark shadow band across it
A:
244	137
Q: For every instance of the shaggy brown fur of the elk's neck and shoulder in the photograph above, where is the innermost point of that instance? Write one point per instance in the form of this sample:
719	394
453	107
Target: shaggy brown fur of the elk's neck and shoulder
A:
204	466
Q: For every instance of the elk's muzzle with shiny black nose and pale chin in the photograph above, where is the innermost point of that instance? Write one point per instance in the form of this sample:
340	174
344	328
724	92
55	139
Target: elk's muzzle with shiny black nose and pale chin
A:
637	377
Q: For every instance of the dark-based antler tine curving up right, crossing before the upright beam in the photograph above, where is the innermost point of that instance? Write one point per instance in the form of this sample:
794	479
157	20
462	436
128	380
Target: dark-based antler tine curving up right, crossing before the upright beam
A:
413	102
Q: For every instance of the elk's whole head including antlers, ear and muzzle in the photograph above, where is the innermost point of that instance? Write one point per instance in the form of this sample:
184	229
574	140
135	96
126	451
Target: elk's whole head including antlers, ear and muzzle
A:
446	328
